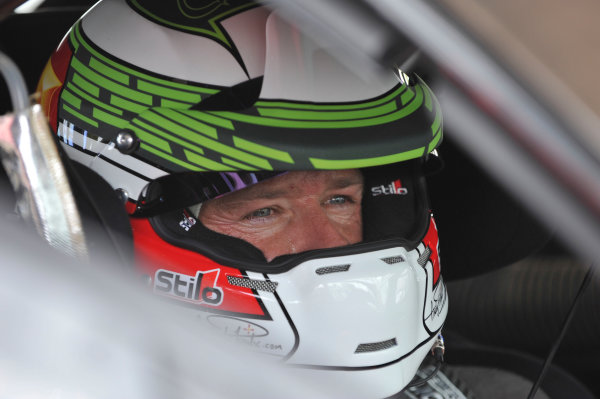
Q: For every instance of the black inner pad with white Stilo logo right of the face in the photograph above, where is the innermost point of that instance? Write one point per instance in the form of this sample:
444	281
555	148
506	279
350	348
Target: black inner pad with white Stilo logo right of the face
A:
395	203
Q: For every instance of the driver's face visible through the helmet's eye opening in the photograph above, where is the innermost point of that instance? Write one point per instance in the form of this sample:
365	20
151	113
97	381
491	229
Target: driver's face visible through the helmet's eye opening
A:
291	213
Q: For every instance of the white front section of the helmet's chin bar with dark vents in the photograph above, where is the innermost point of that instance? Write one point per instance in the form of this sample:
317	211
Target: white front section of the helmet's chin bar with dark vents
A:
369	325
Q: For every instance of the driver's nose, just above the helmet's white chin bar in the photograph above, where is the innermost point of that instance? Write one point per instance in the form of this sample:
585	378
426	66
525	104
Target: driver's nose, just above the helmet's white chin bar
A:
314	229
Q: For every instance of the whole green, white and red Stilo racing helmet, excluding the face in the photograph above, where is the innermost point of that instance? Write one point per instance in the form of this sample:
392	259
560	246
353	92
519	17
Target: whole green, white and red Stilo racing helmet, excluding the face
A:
175	103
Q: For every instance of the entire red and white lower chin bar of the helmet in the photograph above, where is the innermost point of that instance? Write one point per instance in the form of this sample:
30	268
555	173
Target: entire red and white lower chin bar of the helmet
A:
365	321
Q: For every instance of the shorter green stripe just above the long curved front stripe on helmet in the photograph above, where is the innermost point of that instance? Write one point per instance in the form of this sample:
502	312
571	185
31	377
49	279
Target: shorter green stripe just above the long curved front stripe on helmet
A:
328	115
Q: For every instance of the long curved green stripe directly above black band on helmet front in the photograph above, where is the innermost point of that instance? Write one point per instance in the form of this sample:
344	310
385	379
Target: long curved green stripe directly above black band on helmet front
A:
262	121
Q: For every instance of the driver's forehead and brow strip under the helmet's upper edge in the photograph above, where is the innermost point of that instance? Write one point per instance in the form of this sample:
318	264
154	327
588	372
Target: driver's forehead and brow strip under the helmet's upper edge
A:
297	182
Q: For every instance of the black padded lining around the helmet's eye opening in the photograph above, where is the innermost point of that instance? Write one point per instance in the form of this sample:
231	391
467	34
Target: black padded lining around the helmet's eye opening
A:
394	211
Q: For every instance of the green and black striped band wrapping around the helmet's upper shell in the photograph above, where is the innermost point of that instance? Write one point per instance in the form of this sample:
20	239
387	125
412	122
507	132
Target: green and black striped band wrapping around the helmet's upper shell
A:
104	94
